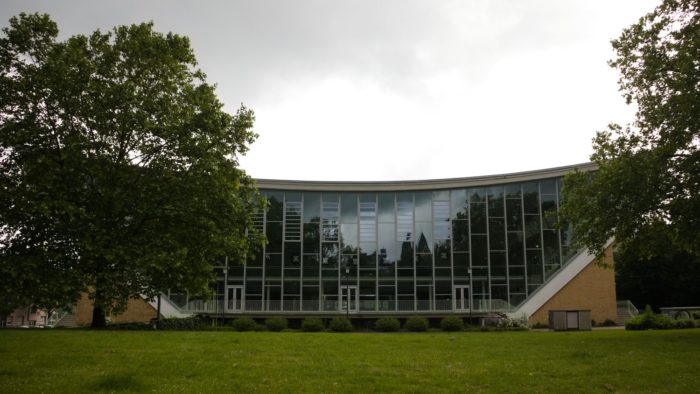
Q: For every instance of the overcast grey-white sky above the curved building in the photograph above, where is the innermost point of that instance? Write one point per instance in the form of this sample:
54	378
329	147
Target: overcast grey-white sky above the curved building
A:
395	90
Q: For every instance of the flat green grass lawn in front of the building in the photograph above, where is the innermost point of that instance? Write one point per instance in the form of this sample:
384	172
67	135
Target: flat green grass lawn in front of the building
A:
231	362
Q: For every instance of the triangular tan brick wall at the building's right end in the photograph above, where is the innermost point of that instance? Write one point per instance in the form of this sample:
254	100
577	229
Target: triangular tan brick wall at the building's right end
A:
593	288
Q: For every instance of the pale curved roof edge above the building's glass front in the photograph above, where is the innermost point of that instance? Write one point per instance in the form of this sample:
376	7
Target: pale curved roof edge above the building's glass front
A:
428	184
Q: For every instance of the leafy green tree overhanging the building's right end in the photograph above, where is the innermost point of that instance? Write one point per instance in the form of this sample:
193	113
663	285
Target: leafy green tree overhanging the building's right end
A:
648	173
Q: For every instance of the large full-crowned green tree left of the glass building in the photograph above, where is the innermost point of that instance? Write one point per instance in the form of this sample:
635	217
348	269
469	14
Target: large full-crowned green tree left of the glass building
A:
118	167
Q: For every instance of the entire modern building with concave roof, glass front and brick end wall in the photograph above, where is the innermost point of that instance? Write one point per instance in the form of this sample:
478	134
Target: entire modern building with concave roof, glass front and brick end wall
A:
468	247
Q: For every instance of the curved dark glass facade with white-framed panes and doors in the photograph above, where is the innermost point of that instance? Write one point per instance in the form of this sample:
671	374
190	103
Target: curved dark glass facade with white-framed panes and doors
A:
447	250
